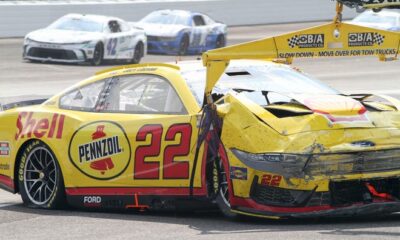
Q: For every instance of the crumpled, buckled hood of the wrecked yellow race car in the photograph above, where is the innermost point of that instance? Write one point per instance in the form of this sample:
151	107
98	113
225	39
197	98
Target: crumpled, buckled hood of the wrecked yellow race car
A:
308	113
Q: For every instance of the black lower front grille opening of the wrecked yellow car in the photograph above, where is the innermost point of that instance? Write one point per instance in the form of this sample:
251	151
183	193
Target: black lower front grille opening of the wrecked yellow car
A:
342	193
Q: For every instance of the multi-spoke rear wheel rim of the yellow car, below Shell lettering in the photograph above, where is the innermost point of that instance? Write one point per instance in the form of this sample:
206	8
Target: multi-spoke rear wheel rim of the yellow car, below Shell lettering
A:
40	176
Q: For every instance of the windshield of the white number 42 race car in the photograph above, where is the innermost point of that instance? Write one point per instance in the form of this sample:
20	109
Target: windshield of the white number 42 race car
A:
77	24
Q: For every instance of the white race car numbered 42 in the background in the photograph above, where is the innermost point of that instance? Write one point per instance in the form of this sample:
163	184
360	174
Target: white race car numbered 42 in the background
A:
76	38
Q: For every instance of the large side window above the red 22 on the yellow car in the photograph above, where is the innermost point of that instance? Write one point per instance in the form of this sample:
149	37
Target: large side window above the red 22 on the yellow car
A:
142	94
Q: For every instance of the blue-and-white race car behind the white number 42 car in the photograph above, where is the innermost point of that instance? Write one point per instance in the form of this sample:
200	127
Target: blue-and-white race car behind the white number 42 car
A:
179	32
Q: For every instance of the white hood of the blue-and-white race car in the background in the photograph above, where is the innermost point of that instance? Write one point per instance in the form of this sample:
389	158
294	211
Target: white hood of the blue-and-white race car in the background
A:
160	30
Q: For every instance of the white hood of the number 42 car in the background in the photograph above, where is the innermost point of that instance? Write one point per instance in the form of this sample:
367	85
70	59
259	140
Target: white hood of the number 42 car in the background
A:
63	36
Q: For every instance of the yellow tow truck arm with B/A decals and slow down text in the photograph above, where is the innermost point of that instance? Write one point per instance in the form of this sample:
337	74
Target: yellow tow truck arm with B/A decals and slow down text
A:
336	39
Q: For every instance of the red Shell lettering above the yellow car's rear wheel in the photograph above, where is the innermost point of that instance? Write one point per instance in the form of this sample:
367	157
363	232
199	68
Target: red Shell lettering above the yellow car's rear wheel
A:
29	126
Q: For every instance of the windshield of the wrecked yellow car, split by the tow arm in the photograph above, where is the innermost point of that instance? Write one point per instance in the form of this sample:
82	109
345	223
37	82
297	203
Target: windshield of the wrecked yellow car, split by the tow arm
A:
253	80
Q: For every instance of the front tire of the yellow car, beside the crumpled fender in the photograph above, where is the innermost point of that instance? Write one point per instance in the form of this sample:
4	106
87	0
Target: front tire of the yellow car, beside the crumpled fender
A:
221	189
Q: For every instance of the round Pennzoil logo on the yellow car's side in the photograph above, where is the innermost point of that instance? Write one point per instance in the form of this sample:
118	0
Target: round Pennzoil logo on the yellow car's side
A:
100	150
